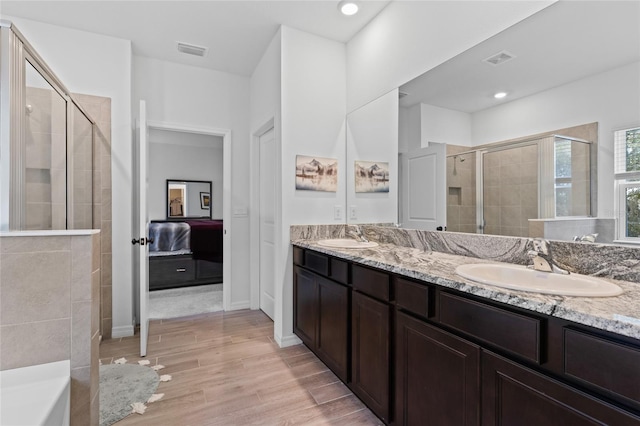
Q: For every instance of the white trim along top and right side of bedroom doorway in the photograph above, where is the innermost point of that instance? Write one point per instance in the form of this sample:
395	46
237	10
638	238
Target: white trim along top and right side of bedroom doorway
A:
227	278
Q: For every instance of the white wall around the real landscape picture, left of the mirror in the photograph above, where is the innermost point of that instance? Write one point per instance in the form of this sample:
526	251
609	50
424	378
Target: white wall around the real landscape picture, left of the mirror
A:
313	123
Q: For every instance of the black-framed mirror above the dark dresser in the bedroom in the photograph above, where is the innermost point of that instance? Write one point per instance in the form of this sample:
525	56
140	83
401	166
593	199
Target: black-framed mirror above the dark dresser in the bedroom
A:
188	199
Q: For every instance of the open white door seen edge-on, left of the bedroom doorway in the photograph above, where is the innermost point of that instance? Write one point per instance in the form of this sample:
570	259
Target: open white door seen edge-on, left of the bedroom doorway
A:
142	228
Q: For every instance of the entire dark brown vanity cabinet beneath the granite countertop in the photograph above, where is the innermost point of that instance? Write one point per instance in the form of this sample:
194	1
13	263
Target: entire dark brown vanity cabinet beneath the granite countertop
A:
423	354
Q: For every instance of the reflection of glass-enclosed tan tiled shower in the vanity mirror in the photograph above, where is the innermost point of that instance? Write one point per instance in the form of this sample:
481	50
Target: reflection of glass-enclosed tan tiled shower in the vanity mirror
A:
504	186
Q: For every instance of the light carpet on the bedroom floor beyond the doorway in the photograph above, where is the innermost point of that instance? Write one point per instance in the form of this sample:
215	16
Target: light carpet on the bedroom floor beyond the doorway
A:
186	301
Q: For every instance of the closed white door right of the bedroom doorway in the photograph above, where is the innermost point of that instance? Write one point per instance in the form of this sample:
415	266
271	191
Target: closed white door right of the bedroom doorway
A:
267	149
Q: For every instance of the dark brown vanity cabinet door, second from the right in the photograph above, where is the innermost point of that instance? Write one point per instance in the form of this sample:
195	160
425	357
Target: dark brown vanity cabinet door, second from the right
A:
437	376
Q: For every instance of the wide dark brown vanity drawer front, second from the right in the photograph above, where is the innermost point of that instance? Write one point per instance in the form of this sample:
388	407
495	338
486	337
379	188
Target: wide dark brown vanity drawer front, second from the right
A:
514	332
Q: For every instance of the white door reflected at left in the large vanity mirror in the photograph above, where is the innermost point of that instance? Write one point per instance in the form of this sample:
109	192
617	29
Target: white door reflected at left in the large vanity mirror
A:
423	188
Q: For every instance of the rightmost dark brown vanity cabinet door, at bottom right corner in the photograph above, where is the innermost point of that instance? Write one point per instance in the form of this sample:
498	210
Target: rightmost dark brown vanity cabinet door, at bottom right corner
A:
515	395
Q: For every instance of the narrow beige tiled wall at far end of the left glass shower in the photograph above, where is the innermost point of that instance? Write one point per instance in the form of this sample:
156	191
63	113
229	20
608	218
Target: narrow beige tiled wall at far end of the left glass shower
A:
100	110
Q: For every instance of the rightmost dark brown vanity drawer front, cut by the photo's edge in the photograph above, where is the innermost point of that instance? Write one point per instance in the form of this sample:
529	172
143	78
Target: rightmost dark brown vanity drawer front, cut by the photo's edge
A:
609	365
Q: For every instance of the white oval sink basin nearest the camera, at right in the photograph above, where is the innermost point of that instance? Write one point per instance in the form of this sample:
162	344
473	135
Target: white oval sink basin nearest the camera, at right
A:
519	277
